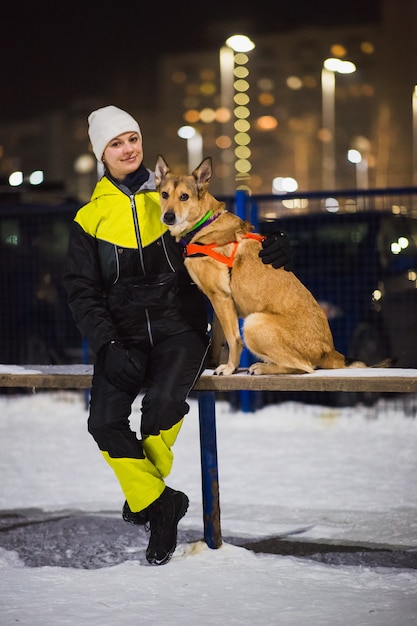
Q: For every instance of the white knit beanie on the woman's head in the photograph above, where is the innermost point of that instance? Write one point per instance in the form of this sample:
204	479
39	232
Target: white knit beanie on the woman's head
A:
107	123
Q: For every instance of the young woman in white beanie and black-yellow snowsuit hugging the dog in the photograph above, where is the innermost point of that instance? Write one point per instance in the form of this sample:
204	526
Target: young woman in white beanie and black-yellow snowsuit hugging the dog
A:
146	322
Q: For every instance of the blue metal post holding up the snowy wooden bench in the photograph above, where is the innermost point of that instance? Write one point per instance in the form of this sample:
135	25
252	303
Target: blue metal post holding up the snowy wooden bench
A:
209	469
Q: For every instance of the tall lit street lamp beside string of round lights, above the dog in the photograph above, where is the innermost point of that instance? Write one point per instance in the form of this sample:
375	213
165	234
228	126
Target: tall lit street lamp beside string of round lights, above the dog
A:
234	84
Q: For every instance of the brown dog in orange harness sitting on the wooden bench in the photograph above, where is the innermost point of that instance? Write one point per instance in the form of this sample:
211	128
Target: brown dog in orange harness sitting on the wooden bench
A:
284	325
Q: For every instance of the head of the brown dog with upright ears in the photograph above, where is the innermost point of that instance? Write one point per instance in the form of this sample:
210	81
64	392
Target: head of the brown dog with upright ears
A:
183	198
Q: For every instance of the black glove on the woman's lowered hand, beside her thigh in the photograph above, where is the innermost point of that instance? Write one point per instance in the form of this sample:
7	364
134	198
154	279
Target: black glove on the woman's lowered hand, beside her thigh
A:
121	368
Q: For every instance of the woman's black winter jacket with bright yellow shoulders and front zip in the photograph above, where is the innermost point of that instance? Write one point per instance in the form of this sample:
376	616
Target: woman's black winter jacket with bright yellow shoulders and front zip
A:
125	275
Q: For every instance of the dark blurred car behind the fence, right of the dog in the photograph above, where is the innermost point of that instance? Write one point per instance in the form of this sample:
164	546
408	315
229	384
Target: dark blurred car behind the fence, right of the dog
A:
362	269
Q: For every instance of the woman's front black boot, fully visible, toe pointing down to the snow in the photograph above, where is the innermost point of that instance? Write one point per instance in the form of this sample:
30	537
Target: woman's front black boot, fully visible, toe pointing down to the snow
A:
164	515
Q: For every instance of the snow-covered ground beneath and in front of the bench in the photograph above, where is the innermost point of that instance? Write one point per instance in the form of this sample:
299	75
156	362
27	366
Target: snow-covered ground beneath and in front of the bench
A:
288	473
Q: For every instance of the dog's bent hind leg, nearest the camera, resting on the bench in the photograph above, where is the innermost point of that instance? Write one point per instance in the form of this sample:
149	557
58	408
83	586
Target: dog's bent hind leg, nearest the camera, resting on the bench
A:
268	340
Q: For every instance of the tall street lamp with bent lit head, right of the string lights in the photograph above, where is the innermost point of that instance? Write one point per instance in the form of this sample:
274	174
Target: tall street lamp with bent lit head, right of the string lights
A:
328	82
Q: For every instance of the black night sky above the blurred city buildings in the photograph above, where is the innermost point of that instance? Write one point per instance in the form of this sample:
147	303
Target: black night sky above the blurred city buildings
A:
52	54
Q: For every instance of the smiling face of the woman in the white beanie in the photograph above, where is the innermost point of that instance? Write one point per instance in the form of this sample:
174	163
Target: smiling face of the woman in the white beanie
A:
123	154
